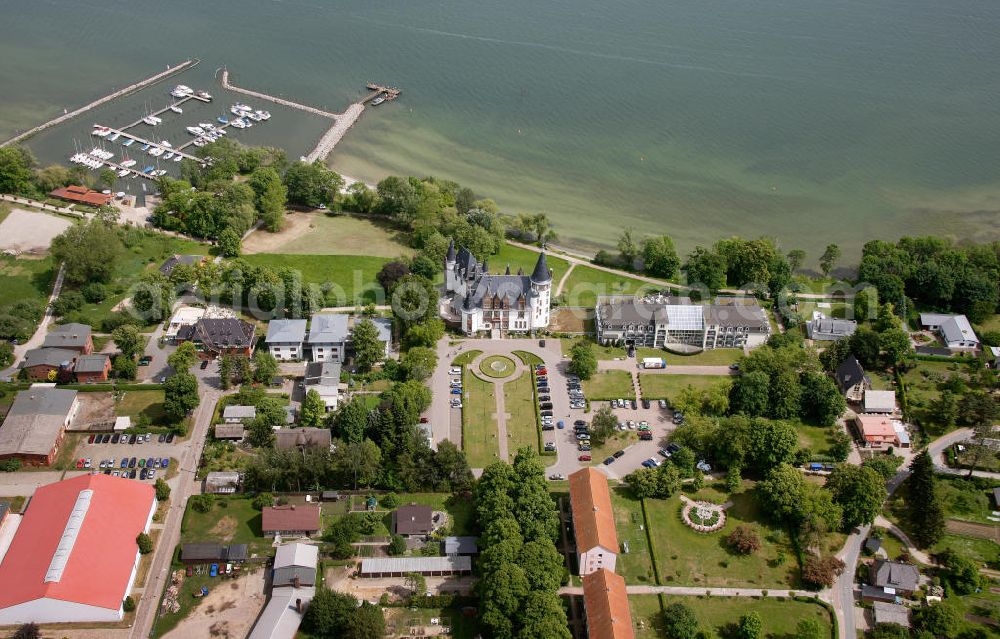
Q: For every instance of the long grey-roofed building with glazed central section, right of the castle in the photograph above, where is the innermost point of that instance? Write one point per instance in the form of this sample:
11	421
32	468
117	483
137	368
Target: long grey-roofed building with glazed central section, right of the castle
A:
662	322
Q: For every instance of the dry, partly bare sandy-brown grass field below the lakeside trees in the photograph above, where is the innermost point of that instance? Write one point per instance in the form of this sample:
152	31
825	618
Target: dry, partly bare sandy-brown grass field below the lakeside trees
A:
338	235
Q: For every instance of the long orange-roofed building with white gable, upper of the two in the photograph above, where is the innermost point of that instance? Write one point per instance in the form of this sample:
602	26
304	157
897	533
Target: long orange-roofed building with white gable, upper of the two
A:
593	521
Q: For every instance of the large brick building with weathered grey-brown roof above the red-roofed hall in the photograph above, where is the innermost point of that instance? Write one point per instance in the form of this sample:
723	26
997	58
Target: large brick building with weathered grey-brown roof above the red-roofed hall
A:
36	424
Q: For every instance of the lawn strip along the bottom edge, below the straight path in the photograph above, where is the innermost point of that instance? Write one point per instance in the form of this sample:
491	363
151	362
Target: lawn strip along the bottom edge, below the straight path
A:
718	616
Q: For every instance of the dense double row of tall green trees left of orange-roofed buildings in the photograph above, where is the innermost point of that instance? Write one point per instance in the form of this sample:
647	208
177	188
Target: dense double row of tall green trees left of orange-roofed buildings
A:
521	569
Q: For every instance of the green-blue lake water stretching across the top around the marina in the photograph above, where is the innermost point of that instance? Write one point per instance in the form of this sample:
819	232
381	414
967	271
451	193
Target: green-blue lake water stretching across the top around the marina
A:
813	122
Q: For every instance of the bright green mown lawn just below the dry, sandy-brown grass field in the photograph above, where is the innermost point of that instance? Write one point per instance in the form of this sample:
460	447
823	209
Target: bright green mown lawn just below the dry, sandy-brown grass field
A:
347	280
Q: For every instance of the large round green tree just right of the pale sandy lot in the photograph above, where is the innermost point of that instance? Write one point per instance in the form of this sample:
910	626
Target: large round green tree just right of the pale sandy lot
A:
89	252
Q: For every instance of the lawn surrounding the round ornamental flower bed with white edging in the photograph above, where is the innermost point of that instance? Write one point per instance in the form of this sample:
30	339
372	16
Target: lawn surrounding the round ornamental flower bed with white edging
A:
688	558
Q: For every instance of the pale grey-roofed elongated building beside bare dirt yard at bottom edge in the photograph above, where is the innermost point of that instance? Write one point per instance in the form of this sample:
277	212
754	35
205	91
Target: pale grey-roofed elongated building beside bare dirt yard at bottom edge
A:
293	586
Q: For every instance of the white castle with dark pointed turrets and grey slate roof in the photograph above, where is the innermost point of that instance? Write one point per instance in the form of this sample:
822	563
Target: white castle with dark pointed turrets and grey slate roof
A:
476	300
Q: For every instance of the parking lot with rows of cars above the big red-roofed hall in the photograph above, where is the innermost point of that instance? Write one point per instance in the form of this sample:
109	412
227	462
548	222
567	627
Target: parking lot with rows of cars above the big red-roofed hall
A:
142	459
